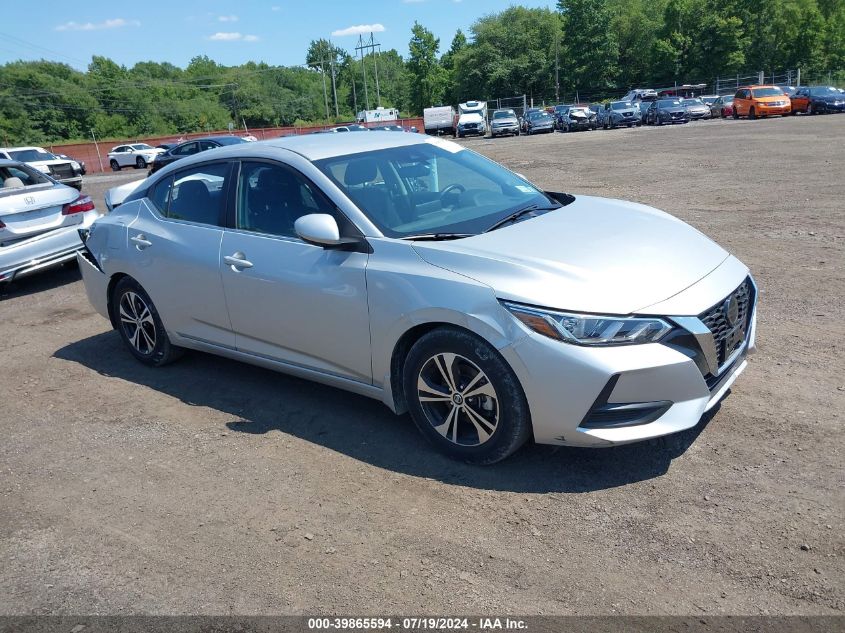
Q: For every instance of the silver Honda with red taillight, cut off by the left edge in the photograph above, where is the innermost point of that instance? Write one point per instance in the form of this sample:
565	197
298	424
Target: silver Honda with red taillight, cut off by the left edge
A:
39	220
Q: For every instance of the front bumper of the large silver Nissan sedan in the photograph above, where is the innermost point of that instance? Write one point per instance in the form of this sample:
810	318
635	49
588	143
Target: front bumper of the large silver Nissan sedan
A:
604	396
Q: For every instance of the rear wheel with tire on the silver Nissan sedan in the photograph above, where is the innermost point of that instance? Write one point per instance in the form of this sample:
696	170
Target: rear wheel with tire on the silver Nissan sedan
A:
140	326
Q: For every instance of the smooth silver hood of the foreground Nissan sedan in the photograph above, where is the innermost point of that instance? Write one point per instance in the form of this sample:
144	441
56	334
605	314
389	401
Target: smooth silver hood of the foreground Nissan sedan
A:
592	255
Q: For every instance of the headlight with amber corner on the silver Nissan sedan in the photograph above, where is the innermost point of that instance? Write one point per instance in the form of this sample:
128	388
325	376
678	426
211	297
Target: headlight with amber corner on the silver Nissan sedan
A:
590	329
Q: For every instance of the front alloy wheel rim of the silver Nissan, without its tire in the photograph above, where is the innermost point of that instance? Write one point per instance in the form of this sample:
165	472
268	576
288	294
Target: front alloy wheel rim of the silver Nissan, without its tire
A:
458	399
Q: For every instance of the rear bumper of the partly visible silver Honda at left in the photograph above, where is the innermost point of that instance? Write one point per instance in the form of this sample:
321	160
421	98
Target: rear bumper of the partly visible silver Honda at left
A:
51	249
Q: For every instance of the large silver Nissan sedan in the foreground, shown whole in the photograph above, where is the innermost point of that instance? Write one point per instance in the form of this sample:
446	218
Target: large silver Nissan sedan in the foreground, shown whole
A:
417	272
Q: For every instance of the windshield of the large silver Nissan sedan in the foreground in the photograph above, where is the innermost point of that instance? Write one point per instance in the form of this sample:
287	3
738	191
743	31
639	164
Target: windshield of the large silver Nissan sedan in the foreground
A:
430	188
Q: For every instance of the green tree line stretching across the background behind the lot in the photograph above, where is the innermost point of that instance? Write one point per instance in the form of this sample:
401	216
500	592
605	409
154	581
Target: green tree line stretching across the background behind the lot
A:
593	46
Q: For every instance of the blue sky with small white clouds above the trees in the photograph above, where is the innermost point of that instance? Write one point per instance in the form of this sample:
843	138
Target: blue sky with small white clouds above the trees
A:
273	31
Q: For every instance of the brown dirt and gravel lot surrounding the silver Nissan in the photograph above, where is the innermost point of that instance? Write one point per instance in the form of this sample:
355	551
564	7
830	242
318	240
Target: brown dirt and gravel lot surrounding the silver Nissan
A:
214	487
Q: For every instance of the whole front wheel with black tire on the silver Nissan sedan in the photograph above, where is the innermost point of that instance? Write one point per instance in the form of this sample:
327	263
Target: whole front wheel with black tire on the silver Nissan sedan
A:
465	398
